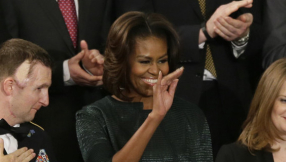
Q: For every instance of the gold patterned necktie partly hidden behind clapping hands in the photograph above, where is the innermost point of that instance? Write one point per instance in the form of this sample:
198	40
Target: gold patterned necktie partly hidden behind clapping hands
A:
209	64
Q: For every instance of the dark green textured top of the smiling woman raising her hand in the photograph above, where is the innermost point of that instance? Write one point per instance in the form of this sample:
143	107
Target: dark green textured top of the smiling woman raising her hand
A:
105	126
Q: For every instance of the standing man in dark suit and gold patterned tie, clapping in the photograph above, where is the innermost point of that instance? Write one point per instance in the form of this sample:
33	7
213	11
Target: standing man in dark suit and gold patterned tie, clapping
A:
223	90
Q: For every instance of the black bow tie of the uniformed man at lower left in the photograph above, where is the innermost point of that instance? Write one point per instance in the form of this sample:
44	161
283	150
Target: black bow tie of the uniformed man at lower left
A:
18	132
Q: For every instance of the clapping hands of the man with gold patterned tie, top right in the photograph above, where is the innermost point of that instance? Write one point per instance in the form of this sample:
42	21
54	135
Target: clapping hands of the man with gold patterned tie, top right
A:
221	24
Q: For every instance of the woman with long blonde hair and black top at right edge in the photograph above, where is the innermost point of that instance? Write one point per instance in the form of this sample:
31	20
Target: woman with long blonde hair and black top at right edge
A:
264	136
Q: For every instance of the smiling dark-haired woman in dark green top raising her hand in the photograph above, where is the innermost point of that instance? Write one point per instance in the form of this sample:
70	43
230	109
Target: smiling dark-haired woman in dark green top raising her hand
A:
142	121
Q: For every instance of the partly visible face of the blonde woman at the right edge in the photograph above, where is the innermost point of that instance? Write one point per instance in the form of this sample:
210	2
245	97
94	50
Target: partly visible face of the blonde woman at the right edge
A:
278	114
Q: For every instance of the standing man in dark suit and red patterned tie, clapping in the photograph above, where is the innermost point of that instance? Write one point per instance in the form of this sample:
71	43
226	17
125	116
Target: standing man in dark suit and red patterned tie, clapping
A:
45	23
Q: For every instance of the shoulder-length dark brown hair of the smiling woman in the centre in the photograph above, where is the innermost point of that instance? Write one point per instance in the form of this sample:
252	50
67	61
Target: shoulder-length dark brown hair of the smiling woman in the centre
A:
121	41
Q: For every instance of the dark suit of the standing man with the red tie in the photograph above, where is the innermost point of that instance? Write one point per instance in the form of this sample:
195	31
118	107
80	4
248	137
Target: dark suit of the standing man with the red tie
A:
41	22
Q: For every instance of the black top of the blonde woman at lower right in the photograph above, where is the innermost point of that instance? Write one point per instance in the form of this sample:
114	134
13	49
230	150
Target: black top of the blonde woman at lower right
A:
239	153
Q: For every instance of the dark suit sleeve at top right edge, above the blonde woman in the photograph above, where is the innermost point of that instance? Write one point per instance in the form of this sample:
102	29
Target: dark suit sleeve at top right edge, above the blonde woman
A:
275	24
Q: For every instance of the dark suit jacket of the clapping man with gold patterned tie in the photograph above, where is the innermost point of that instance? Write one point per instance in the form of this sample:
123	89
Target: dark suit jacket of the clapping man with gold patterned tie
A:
232	74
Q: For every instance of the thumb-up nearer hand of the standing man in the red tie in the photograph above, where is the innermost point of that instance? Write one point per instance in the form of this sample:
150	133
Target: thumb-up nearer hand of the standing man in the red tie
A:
79	75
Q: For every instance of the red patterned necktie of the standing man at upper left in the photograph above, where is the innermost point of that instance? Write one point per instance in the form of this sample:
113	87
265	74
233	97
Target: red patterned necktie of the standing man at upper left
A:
67	8
